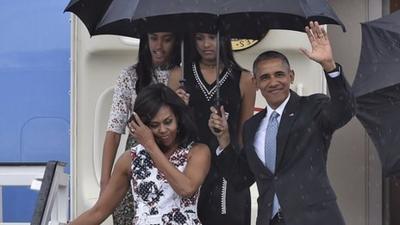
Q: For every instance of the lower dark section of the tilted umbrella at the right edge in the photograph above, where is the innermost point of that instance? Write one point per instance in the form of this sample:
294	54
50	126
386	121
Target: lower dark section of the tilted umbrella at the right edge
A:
379	113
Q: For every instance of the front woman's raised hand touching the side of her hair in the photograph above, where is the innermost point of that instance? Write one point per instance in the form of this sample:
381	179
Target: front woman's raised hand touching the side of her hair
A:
141	133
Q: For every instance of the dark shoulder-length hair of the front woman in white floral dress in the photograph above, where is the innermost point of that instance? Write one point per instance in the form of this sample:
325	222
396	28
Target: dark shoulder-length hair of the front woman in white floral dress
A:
153	97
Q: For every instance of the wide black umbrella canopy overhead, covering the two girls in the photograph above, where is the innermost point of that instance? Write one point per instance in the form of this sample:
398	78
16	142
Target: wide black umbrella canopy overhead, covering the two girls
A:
229	17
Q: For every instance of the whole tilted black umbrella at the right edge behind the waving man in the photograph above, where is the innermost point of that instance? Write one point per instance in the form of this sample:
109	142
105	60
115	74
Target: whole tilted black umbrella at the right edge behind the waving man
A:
377	88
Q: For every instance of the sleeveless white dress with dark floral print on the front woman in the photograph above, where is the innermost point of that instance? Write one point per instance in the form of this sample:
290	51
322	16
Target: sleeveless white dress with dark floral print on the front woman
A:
155	202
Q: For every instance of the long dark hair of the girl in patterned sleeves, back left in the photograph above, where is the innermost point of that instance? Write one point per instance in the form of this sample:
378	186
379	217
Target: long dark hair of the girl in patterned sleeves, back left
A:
145	63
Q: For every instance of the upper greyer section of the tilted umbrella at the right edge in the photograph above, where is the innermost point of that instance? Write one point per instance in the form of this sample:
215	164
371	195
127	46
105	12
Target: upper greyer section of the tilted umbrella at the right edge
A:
380	55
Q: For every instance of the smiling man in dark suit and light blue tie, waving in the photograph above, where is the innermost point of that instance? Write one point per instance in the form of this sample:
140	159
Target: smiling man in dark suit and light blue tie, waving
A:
286	144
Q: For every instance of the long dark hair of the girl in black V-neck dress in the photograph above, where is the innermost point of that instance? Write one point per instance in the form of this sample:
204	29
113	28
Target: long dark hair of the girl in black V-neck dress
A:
225	51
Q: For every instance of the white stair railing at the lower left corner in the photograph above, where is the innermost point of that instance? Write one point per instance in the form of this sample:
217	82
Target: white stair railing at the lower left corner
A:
52	205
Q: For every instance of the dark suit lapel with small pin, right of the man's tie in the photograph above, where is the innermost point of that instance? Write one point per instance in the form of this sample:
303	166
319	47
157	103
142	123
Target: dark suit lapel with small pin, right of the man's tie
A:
289	116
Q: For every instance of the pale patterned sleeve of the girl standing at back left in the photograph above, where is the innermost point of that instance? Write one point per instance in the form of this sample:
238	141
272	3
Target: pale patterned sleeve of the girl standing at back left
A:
122	102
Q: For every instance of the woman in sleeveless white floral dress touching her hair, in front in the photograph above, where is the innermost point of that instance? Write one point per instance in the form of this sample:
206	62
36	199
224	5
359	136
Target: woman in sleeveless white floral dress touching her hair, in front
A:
165	169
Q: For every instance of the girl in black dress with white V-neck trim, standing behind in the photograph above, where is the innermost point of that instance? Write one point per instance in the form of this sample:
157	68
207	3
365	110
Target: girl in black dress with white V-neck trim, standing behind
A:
219	202
